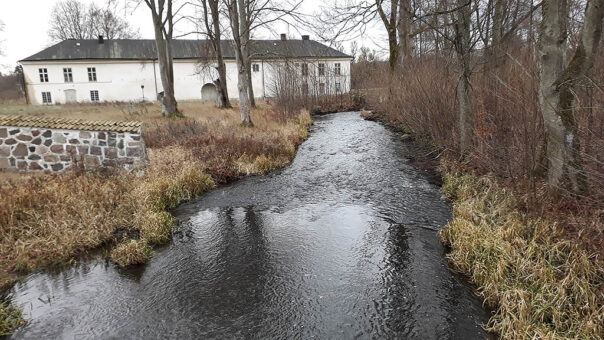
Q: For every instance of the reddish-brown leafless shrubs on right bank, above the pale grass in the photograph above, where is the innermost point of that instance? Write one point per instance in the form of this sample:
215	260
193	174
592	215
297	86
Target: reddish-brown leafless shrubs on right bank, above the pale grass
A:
508	133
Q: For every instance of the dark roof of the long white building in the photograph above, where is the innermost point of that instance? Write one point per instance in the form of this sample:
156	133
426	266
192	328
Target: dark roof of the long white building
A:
128	49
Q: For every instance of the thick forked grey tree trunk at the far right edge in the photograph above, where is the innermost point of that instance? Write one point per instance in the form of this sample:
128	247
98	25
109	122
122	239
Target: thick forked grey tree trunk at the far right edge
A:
557	87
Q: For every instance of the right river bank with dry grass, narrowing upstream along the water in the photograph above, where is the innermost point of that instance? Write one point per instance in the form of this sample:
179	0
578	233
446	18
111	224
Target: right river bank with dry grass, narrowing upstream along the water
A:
542	275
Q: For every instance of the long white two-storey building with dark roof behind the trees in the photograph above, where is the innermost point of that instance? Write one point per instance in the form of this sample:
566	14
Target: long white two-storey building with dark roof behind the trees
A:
127	70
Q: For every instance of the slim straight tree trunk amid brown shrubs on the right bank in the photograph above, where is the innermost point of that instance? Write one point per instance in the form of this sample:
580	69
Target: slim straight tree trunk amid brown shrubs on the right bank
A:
462	42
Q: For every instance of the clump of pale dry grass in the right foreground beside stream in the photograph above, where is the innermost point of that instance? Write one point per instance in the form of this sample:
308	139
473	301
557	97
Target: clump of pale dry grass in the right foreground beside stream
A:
543	285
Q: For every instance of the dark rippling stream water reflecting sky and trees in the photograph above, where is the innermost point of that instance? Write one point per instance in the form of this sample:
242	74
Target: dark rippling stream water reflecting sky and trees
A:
340	244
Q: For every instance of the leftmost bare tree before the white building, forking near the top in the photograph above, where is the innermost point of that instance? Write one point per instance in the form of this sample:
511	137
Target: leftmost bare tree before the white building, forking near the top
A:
163	16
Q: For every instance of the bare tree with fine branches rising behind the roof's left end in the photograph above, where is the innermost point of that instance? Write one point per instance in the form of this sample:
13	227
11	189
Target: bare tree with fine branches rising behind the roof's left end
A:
72	19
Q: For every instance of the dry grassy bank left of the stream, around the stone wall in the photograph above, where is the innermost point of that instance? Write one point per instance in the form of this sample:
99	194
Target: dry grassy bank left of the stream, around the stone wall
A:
52	219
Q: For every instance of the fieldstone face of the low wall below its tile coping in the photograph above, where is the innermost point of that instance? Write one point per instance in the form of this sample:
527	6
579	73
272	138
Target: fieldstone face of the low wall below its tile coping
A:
53	150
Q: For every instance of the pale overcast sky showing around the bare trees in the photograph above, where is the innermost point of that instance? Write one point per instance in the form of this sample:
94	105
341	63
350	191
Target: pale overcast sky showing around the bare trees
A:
26	27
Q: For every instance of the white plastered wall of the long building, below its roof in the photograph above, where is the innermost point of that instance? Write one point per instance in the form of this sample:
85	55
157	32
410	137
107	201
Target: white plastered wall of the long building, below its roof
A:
122	80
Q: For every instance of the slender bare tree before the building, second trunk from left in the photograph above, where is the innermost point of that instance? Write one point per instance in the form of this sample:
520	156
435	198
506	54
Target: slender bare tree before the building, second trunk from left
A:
211	19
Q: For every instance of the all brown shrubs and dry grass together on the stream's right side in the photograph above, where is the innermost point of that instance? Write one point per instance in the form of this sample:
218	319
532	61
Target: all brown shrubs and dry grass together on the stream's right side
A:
534	250
